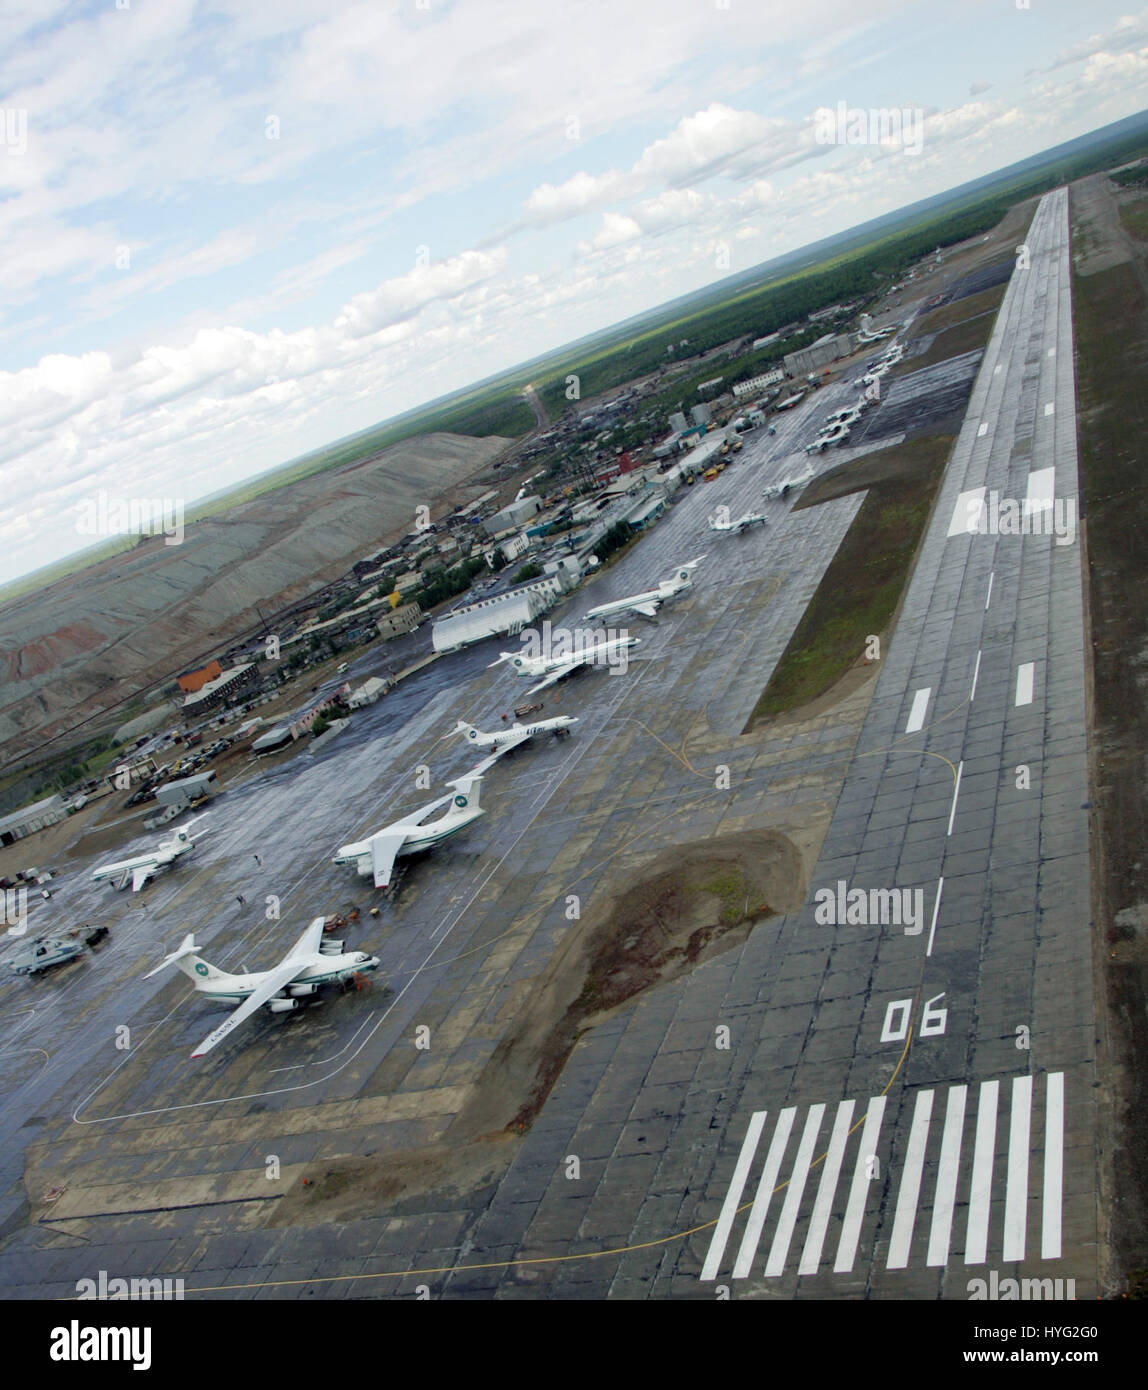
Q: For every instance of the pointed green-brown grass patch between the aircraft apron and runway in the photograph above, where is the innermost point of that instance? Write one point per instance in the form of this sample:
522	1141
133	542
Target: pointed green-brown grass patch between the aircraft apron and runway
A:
862	587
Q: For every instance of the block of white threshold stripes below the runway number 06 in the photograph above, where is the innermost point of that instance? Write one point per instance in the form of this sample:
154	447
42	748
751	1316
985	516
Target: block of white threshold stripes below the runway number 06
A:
935	1184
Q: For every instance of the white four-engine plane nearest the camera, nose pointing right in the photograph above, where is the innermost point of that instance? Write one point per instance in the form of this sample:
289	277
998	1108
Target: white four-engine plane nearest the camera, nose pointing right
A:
308	965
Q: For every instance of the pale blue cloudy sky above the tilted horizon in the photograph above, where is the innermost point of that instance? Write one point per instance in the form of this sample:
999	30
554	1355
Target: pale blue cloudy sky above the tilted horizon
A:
236	231
